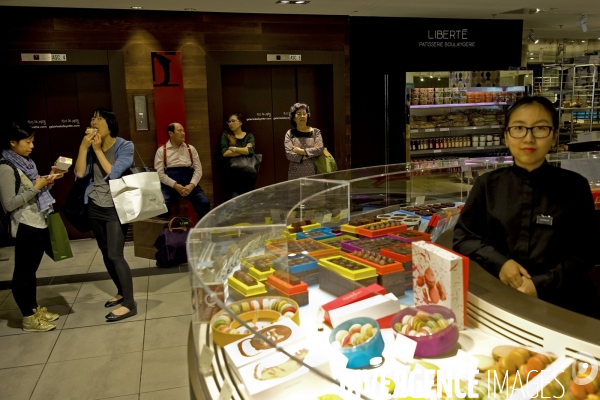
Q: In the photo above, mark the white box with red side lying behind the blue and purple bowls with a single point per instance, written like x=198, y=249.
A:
x=380, y=308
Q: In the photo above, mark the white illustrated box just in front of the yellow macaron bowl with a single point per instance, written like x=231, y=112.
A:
x=251, y=348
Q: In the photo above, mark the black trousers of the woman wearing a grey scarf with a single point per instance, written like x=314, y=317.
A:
x=30, y=245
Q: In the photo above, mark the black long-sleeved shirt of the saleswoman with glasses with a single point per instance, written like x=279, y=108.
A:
x=500, y=222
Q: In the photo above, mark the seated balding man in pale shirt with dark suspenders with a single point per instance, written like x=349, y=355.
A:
x=179, y=170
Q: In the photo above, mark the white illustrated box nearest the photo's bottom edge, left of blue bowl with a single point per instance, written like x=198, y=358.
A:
x=278, y=377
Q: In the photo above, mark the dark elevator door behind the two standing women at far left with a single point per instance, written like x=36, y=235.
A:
x=57, y=102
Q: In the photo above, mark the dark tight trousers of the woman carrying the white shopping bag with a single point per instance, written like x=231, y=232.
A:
x=110, y=236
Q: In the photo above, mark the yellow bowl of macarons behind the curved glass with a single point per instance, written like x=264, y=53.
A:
x=223, y=339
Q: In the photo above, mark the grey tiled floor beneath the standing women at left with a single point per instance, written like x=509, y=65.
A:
x=143, y=357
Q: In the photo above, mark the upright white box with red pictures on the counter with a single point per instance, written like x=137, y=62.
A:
x=440, y=277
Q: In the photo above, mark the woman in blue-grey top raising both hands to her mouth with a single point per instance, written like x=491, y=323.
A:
x=103, y=155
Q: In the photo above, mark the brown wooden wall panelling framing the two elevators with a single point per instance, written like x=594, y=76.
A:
x=138, y=33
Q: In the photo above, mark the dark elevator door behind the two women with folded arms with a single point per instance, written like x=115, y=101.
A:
x=264, y=96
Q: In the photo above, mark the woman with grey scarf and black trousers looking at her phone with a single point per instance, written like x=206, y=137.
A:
x=25, y=195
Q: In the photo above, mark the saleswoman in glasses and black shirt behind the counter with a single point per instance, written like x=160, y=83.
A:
x=534, y=225
